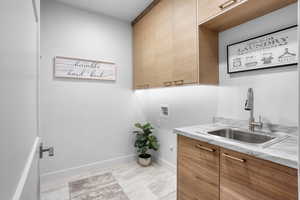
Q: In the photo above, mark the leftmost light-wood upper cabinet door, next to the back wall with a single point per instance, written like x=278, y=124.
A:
x=153, y=47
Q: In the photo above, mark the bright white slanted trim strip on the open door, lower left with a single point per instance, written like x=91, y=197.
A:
x=26, y=170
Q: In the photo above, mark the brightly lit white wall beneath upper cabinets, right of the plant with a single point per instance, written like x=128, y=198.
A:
x=188, y=105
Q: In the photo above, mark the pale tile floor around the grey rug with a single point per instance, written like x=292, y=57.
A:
x=156, y=182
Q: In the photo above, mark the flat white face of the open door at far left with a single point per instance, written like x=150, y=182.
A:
x=18, y=88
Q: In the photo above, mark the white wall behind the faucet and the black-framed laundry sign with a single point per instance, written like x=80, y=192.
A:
x=275, y=90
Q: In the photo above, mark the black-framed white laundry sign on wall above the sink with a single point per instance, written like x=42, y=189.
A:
x=276, y=49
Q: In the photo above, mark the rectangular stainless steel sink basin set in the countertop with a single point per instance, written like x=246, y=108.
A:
x=242, y=136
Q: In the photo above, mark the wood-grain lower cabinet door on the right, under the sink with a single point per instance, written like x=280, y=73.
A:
x=247, y=178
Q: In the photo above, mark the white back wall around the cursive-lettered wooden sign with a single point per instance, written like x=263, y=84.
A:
x=86, y=121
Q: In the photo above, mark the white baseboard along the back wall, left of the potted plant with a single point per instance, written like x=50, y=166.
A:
x=61, y=174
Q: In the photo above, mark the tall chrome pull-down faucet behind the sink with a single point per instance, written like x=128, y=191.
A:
x=249, y=106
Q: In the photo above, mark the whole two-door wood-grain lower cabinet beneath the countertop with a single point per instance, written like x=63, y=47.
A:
x=208, y=172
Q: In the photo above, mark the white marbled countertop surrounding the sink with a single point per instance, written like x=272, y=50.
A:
x=283, y=152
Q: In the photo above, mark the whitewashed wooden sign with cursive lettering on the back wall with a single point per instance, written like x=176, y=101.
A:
x=77, y=68
